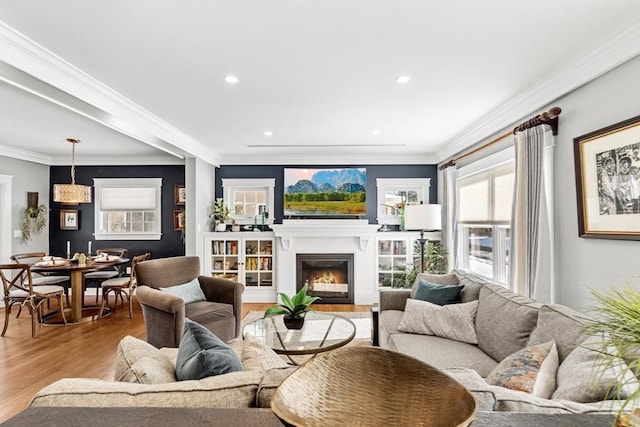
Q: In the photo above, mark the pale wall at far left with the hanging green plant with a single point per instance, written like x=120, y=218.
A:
x=27, y=177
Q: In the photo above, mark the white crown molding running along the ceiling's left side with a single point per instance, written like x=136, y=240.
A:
x=123, y=115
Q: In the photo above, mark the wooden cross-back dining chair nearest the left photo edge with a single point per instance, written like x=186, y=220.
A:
x=18, y=288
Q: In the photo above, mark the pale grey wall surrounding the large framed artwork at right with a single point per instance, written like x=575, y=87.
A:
x=591, y=263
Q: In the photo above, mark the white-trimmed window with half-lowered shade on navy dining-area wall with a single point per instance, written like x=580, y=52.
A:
x=128, y=208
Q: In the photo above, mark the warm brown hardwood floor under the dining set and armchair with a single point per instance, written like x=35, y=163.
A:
x=85, y=350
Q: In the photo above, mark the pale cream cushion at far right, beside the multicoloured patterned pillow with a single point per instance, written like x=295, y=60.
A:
x=583, y=377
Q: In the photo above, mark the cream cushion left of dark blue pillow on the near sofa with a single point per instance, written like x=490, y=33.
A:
x=140, y=362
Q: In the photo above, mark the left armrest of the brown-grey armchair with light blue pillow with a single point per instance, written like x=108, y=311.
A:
x=163, y=316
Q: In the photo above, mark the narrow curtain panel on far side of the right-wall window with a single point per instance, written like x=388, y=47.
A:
x=447, y=192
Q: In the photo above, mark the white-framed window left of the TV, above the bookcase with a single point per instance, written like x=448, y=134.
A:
x=249, y=198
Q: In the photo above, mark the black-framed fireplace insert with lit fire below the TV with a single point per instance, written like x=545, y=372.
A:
x=328, y=276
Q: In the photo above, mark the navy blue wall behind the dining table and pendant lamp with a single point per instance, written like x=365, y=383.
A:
x=169, y=245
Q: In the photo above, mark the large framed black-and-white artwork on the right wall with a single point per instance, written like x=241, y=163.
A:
x=607, y=163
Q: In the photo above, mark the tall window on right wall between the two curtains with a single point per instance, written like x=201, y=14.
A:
x=484, y=200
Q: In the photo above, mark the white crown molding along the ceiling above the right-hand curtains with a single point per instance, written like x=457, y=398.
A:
x=609, y=55
